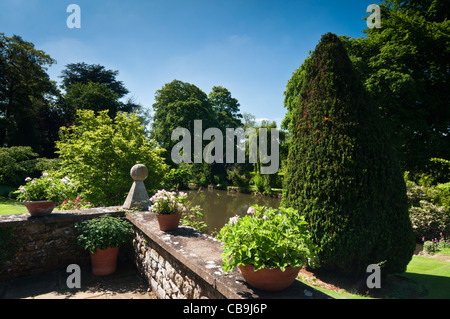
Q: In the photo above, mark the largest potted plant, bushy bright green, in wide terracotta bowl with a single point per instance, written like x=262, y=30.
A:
x=268, y=246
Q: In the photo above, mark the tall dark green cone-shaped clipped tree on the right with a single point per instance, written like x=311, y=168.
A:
x=342, y=172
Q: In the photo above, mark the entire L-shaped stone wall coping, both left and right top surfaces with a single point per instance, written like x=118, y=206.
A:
x=197, y=251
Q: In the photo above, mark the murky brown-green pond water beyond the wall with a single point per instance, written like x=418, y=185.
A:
x=219, y=206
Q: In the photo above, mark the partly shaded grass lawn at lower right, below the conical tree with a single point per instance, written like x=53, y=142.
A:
x=425, y=278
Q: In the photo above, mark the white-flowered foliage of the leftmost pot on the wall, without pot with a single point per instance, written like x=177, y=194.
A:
x=46, y=188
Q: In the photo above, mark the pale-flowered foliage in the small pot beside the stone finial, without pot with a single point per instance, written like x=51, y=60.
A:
x=169, y=203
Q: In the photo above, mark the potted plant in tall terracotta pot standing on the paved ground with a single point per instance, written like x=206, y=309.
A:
x=102, y=237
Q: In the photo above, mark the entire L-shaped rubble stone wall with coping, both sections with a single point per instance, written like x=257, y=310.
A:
x=181, y=264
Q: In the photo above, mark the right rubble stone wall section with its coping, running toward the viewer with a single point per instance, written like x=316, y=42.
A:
x=187, y=264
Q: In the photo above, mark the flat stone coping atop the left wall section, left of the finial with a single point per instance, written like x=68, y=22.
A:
x=58, y=216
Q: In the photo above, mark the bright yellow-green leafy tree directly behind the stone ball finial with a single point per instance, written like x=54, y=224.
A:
x=99, y=152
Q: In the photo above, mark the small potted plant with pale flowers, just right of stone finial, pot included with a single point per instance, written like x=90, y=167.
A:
x=168, y=206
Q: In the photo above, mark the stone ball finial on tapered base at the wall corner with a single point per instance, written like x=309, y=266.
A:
x=138, y=196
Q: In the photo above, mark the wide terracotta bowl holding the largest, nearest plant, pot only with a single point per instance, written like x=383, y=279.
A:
x=269, y=279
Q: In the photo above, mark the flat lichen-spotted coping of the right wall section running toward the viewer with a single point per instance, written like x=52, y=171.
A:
x=202, y=254
